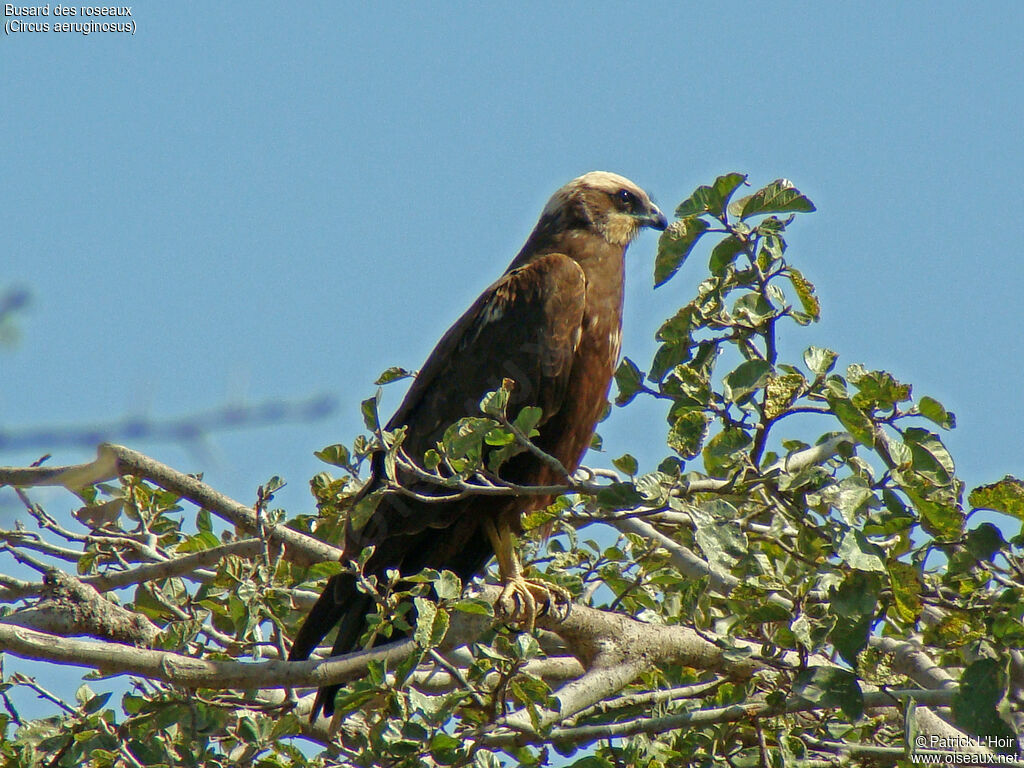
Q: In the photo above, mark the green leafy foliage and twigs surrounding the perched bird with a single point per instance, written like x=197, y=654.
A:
x=806, y=520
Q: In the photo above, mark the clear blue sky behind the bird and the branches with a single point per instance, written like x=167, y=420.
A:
x=251, y=201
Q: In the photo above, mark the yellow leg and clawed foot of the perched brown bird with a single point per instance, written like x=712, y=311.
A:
x=521, y=598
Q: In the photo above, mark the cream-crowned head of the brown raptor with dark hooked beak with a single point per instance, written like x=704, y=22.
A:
x=607, y=204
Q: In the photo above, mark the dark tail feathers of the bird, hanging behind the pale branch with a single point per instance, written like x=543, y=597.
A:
x=342, y=604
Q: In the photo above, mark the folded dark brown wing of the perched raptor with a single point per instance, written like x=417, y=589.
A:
x=526, y=327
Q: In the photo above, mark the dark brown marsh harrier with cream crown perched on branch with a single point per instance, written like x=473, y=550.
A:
x=552, y=324
